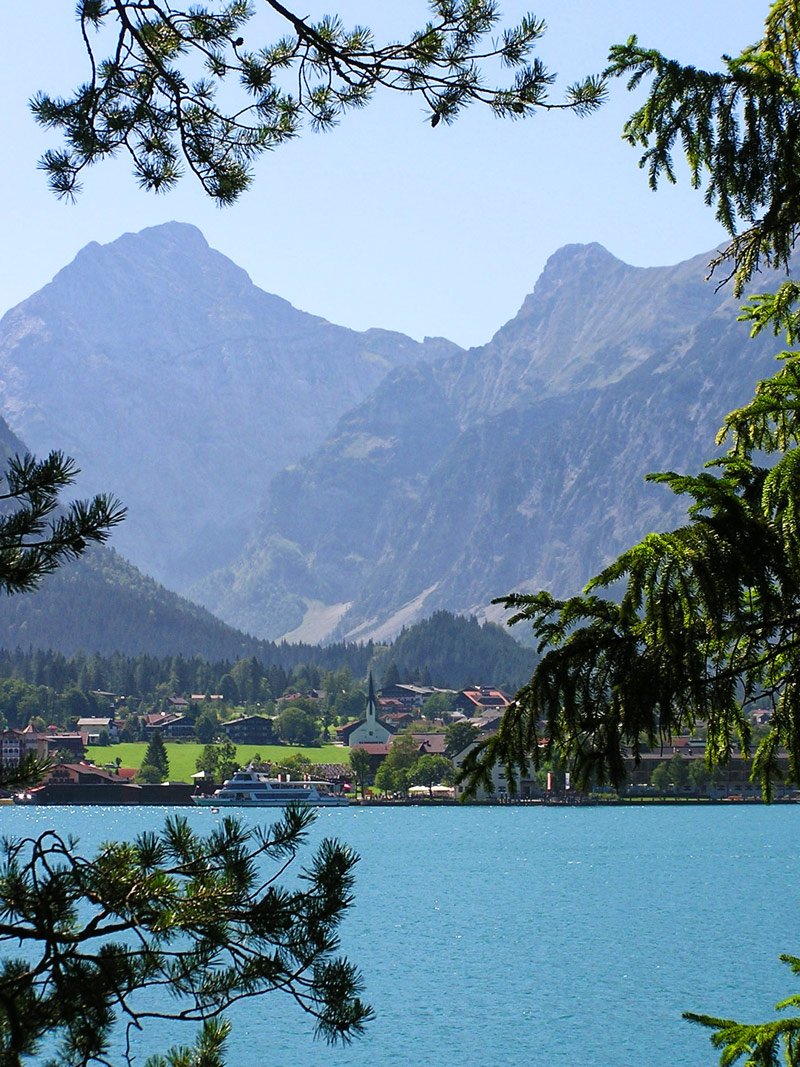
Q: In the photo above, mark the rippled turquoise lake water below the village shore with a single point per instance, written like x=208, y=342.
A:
x=532, y=936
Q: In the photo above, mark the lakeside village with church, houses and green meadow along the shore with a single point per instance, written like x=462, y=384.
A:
x=397, y=752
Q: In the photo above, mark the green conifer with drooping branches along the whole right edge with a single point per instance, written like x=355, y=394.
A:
x=706, y=619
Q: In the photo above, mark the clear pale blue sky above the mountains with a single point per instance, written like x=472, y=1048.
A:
x=385, y=221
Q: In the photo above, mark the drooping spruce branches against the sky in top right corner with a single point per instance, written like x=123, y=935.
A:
x=739, y=132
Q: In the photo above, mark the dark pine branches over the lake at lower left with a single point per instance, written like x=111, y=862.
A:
x=202, y=918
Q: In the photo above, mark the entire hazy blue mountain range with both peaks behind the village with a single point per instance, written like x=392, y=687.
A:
x=302, y=480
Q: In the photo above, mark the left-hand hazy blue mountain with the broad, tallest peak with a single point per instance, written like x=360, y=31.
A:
x=182, y=388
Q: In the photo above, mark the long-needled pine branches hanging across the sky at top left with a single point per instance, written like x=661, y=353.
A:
x=158, y=94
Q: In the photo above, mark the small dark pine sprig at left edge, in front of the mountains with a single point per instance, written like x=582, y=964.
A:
x=38, y=534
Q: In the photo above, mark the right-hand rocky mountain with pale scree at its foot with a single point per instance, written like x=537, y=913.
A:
x=516, y=466
